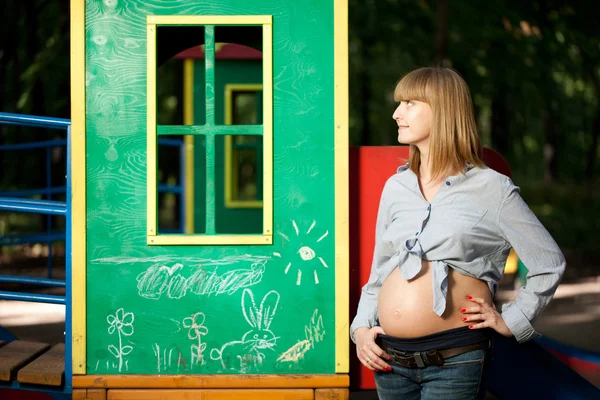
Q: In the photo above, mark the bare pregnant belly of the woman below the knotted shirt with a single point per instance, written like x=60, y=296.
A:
x=406, y=308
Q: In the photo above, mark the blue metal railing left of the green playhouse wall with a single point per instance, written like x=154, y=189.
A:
x=49, y=208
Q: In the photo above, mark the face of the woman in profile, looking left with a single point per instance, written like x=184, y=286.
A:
x=414, y=122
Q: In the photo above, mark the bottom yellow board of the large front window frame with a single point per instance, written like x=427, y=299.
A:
x=209, y=239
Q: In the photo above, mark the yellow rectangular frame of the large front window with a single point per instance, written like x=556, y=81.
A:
x=153, y=238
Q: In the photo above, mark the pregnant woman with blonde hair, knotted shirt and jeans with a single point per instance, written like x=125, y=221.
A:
x=445, y=226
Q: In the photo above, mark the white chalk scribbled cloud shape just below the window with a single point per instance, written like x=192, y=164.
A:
x=159, y=280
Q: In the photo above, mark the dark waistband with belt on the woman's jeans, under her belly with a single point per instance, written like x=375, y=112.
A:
x=456, y=337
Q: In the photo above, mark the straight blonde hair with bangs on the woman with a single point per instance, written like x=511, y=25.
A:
x=454, y=140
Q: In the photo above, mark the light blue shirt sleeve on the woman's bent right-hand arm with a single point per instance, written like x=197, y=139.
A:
x=540, y=254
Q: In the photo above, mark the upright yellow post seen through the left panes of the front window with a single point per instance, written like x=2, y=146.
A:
x=188, y=119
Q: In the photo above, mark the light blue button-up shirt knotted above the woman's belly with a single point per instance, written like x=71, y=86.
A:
x=470, y=226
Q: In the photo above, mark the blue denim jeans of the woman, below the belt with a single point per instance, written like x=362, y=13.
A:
x=461, y=377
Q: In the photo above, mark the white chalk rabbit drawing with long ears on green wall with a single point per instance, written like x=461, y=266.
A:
x=241, y=355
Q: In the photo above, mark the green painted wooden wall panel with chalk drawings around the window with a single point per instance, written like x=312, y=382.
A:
x=210, y=309
